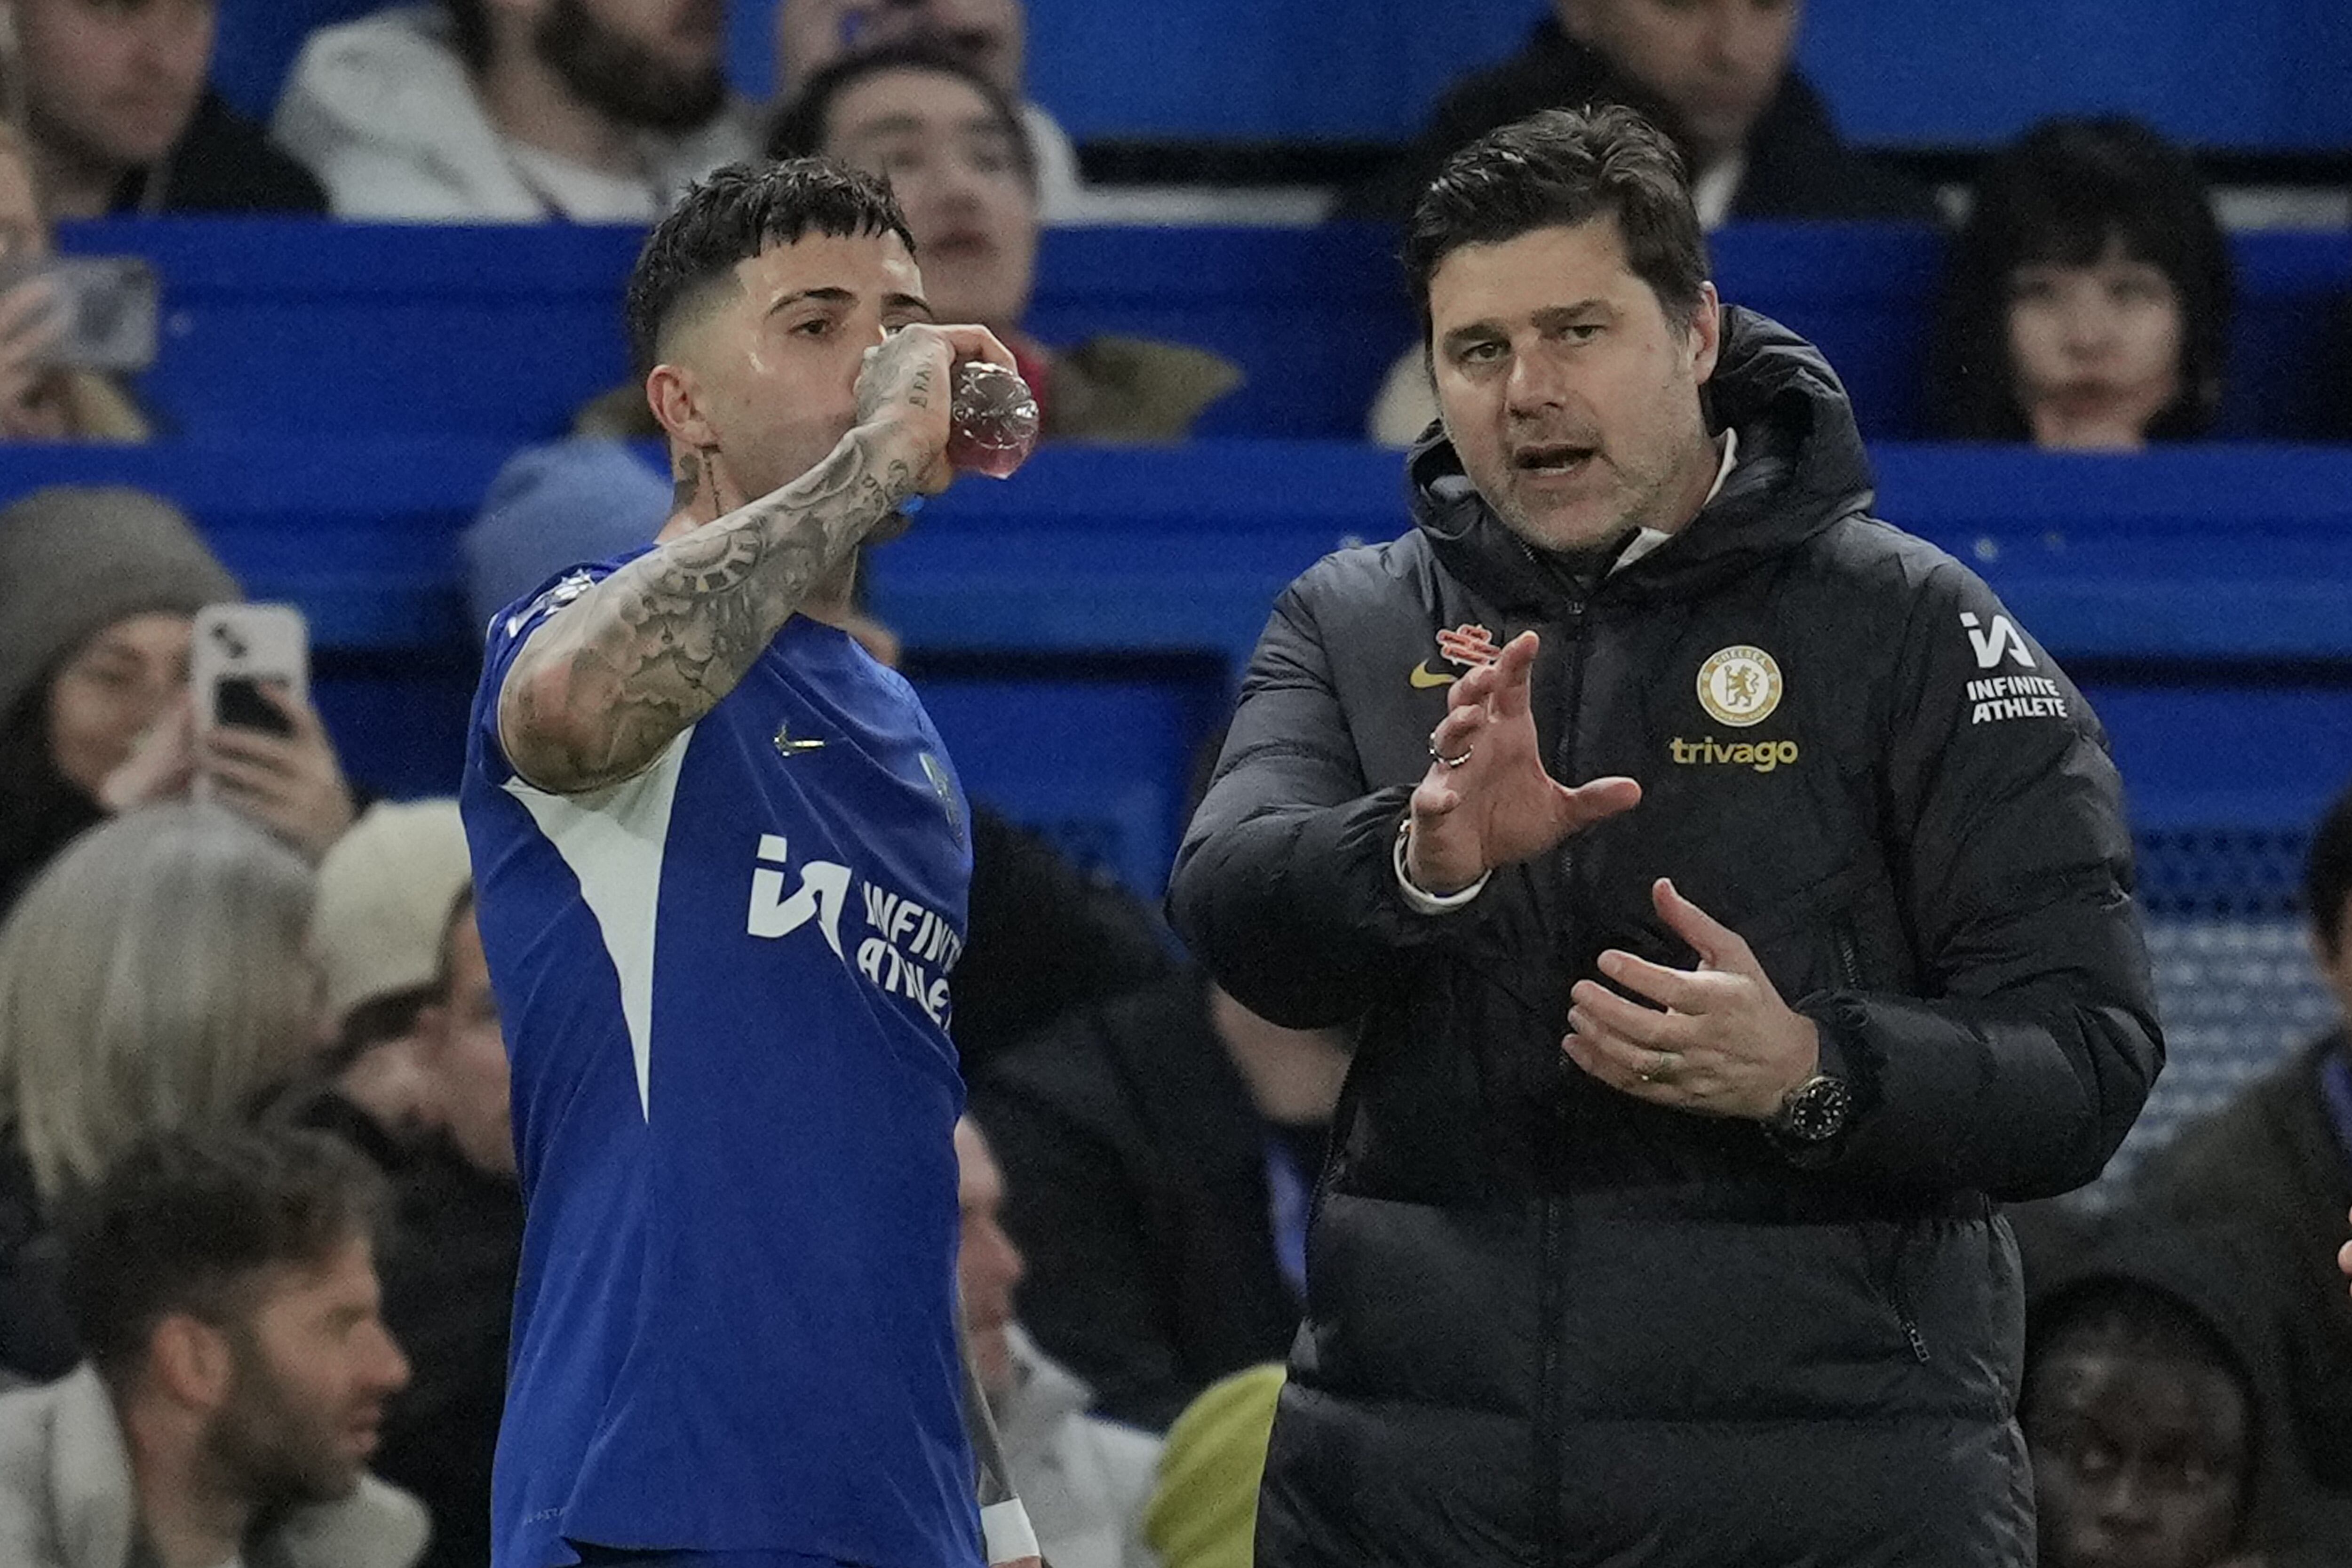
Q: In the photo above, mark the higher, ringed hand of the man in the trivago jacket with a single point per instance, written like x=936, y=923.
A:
x=1488, y=798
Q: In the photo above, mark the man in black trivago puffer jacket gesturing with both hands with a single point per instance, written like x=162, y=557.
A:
x=1737, y=911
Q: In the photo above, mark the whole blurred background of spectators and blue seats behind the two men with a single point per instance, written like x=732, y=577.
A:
x=319, y=304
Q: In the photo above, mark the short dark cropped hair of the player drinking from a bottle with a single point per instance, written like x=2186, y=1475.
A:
x=735, y=215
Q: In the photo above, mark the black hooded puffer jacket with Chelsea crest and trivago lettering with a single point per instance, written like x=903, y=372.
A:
x=1553, y=1325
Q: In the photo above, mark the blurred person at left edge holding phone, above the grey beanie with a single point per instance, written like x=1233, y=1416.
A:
x=41, y=401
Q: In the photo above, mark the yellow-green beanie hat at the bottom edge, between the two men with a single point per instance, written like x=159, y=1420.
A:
x=1205, y=1508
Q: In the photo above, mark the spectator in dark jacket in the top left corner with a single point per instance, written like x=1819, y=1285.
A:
x=121, y=116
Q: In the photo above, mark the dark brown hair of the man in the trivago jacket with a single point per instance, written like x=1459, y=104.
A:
x=1568, y=168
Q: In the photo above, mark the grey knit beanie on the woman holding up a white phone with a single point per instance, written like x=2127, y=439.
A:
x=76, y=558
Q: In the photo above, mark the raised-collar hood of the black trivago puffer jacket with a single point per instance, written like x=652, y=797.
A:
x=1800, y=469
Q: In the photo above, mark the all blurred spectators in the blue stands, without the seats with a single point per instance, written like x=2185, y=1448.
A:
x=260, y=1209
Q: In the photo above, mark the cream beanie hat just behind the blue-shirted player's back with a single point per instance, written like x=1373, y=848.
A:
x=385, y=899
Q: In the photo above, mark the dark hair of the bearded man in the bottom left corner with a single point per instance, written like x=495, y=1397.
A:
x=187, y=1224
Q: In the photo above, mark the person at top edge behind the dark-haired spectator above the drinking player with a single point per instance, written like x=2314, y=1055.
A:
x=987, y=36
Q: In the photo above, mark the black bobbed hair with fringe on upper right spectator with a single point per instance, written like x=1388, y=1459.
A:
x=2066, y=194
